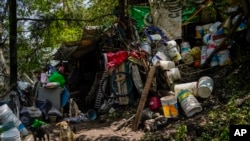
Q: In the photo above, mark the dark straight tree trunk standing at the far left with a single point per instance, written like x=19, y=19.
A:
x=13, y=41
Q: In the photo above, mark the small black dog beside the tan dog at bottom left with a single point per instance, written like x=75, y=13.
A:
x=40, y=132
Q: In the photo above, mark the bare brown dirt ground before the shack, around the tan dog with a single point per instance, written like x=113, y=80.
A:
x=96, y=131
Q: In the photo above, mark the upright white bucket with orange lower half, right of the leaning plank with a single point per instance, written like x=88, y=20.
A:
x=169, y=106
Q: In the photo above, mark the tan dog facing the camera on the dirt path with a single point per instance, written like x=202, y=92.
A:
x=66, y=133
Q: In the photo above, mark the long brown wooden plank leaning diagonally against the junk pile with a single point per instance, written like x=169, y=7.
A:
x=143, y=99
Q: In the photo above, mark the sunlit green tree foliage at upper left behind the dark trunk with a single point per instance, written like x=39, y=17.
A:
x=44, y=24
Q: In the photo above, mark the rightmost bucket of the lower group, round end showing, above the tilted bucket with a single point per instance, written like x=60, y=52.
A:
x=205, y=86
